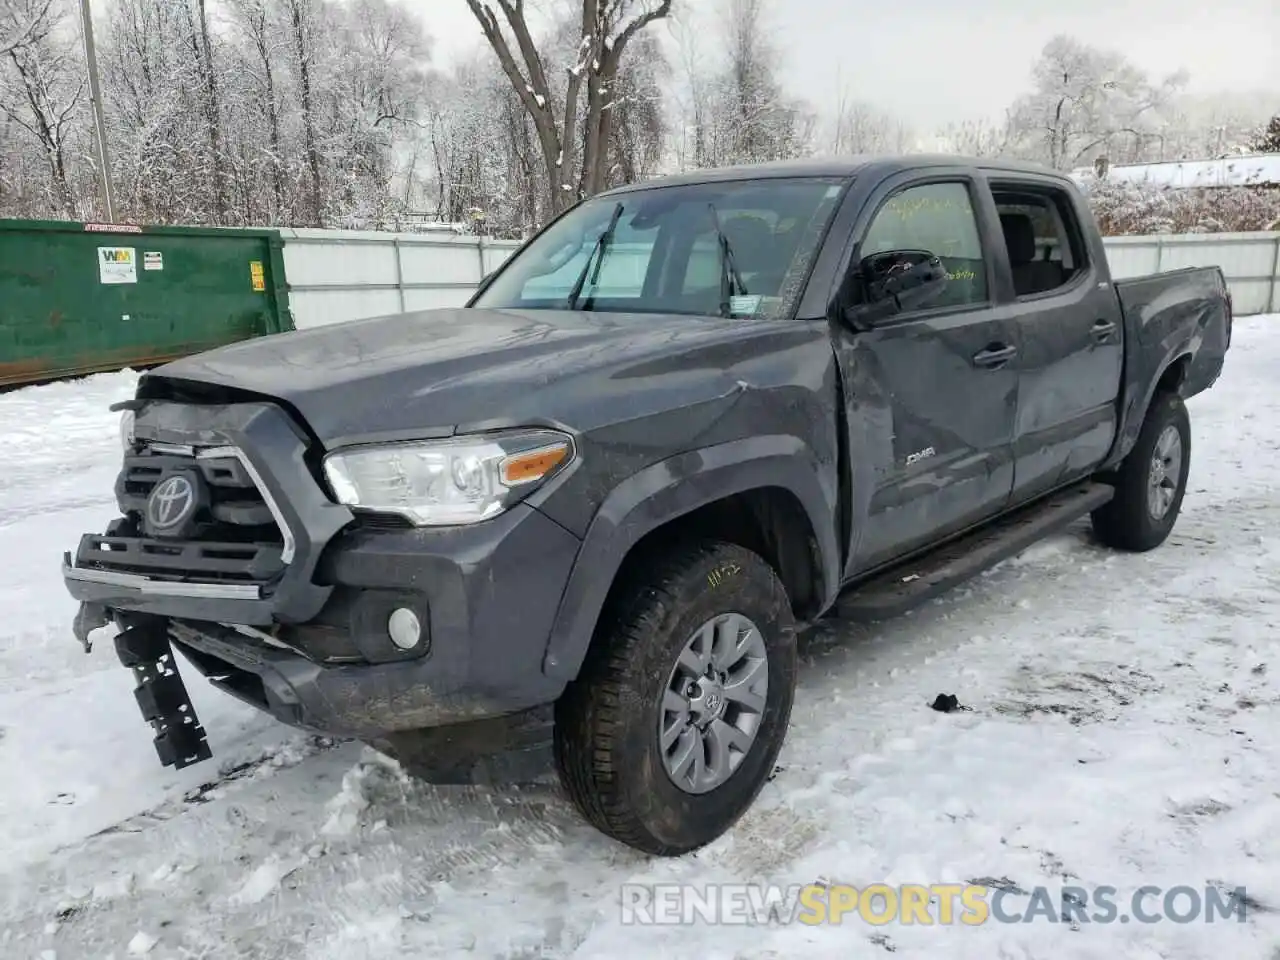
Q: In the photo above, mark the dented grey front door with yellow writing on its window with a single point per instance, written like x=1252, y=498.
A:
x=931, y=394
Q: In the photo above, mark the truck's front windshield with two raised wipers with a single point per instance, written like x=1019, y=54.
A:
x=738, y=249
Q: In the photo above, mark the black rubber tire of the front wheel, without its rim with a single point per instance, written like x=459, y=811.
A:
x=606, y=742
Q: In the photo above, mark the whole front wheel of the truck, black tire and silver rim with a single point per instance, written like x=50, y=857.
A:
x=674, y=725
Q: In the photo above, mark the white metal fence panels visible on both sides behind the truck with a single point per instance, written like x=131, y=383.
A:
x=339, y=276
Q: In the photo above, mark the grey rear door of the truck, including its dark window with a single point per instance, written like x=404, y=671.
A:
x=1071, y=331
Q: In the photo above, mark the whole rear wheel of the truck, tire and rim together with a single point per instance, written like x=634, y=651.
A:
x=1151, y=482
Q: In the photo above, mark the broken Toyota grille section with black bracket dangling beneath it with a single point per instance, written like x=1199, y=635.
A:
x=202, y=536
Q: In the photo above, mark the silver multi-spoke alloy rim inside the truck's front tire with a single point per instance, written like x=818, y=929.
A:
x=714, y=703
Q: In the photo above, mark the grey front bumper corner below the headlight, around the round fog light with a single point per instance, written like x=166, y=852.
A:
x=487, y=597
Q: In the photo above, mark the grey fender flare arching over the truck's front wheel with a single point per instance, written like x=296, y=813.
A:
x=670, y=490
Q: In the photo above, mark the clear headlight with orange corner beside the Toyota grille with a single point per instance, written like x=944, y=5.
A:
x=445, y=483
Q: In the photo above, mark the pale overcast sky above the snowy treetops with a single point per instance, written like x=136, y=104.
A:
x=938, y=61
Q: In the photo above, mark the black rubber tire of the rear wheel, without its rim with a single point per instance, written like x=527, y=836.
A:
x=1126, y=523
